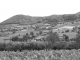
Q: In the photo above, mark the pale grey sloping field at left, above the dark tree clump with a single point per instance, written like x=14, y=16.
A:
x=7, y=36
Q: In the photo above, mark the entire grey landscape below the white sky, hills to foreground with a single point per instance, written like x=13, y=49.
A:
x=54, y=37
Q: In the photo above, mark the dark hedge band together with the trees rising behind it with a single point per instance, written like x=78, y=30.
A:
x=53, y=42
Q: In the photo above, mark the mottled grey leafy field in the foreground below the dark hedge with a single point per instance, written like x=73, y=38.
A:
x=41, y=55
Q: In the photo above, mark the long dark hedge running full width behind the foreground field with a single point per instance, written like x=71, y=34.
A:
x=14, y=46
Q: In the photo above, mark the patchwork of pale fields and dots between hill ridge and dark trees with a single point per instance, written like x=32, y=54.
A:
x=40, y=30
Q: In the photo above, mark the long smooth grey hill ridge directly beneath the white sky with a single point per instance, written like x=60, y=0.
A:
x=53, y=19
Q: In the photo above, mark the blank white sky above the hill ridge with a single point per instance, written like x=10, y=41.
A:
x=9, y=8
